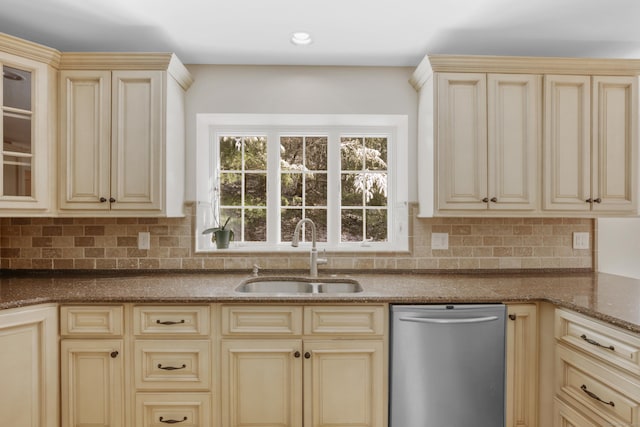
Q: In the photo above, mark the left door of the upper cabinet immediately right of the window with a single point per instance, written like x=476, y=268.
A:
x=461, y=141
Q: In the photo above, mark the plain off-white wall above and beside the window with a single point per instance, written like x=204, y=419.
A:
x=297, y=89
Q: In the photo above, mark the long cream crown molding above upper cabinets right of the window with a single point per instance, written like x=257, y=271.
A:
x=522, y=64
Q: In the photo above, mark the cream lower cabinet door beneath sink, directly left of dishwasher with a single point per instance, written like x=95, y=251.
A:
x=344, y=384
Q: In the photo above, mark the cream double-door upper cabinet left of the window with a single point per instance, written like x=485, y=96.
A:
x=121, y=136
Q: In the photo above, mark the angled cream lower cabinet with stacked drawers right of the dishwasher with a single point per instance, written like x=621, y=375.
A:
x=597, y=373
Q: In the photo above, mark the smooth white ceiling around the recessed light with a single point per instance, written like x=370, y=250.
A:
x=345, y=32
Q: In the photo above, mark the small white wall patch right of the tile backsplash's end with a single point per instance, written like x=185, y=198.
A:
x=619, y=246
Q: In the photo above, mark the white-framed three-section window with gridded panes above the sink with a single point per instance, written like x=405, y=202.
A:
x=347, y=173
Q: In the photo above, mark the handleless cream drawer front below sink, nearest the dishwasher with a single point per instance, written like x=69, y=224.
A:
x=344, y=320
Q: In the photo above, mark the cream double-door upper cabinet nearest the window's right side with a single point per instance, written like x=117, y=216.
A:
x=487, y=141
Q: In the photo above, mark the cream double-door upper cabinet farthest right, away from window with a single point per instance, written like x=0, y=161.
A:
x=590, y=144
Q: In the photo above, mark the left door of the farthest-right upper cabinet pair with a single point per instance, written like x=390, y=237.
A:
x=567, y=143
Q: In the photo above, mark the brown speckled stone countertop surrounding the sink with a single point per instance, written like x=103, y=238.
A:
x=614, y=299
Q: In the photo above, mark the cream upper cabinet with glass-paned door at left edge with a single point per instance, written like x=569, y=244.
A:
x=27, y=103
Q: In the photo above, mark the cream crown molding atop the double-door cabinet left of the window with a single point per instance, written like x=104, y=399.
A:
x=128, y=61
